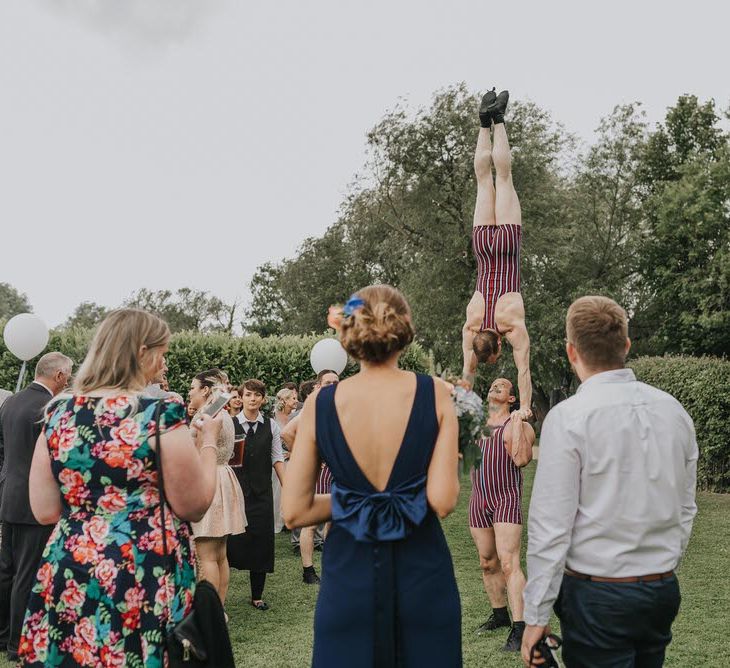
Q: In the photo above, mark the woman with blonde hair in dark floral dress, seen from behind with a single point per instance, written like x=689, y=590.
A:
x=105, y=595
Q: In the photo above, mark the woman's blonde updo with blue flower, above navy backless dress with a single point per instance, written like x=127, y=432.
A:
x=378, y=328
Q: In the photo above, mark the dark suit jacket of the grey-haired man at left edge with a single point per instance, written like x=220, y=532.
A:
x=21, y=420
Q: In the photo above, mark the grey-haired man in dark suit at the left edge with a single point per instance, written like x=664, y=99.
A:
x=23, y=539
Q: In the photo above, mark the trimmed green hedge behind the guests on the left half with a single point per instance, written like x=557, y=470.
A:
x=274, y=360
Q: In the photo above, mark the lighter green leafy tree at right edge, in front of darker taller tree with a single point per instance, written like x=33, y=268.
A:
x=686, y=260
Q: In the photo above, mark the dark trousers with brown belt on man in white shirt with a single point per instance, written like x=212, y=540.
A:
x=616, y=625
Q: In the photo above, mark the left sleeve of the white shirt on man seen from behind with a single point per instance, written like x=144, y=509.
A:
x=553, y=508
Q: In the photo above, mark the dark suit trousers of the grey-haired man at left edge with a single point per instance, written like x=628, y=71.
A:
x=20, y=553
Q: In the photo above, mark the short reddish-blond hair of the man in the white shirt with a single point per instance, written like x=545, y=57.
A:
x=598, y=328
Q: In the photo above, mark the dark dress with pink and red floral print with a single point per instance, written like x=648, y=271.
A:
x=104, y=590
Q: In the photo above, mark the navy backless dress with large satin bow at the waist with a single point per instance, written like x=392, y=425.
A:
x=388, y=596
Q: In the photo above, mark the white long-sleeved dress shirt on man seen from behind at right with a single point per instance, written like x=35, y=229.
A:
x=614, y=492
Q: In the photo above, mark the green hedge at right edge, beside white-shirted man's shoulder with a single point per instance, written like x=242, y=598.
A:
x=702, y=386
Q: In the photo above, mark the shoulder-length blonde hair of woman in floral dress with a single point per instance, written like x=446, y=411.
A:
x=113, y=358
